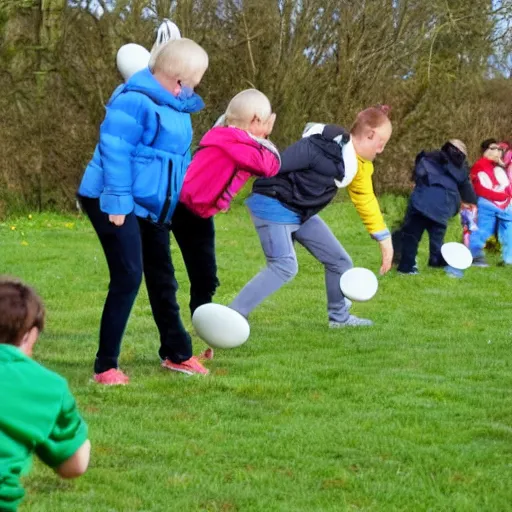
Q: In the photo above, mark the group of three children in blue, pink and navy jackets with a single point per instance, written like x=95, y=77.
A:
x=143, y=184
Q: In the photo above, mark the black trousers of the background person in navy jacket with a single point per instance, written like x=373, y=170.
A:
x=409, y=237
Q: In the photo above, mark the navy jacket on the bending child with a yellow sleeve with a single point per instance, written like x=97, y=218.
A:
x=305, y=182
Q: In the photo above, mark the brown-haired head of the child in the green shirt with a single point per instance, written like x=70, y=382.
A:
x=21, y=309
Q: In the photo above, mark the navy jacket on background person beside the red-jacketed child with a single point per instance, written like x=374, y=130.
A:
x=440, y=186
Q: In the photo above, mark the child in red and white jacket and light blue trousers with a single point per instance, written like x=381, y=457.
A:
x=494, y=191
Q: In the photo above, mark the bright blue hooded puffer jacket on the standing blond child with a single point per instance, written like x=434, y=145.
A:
x=144, y=150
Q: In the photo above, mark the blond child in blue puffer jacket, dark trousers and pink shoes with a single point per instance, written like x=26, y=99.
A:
x=130, y=190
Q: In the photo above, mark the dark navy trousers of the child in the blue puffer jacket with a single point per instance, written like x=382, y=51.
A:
x=135, y=247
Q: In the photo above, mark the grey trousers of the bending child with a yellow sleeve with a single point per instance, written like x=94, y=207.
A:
x=277, y=241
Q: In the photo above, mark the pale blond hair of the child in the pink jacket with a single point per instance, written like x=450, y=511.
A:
x=246, y=106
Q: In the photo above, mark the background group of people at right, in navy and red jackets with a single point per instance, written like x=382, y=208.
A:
x=444, y=184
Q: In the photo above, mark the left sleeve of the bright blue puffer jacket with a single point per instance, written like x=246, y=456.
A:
x=120, y=133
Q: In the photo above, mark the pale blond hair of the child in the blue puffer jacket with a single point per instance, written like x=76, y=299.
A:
x=180, y=58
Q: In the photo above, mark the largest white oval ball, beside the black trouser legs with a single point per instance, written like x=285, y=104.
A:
x=220, y=326
